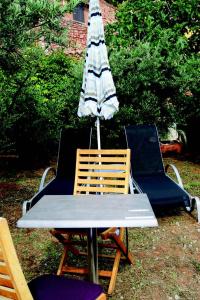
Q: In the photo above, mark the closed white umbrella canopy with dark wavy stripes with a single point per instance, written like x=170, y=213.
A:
x=98, y=93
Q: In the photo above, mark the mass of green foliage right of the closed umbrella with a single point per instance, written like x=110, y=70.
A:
x=156, y=43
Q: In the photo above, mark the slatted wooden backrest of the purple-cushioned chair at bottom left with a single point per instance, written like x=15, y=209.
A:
x=12, y=281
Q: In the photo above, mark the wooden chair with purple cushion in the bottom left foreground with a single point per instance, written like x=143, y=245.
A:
x=47, y=287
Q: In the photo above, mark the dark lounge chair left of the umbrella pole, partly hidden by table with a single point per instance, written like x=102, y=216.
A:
x=63, y=181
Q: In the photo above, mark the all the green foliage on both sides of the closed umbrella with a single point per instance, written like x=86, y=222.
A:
x=154, y=57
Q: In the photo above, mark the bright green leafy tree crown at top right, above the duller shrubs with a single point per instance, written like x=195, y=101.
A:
x=148, y=20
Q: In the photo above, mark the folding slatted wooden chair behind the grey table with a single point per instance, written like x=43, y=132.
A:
x=99, y=171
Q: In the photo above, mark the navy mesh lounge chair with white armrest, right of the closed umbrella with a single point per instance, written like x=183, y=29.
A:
x=148, y=172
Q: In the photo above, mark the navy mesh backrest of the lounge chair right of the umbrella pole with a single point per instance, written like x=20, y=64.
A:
x=146, y=158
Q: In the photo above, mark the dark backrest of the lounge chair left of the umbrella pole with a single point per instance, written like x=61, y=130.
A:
x=70, y=140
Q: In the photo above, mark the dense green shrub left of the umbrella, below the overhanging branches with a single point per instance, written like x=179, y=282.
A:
x=37, y=101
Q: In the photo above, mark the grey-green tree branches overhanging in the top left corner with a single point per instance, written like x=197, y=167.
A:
x=25, y=22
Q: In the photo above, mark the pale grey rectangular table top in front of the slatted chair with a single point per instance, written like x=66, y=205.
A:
x=90, y=211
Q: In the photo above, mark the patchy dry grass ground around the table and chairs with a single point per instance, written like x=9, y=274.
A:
x=167, y=259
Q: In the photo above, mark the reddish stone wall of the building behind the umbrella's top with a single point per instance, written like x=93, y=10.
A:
x=78, y=31
